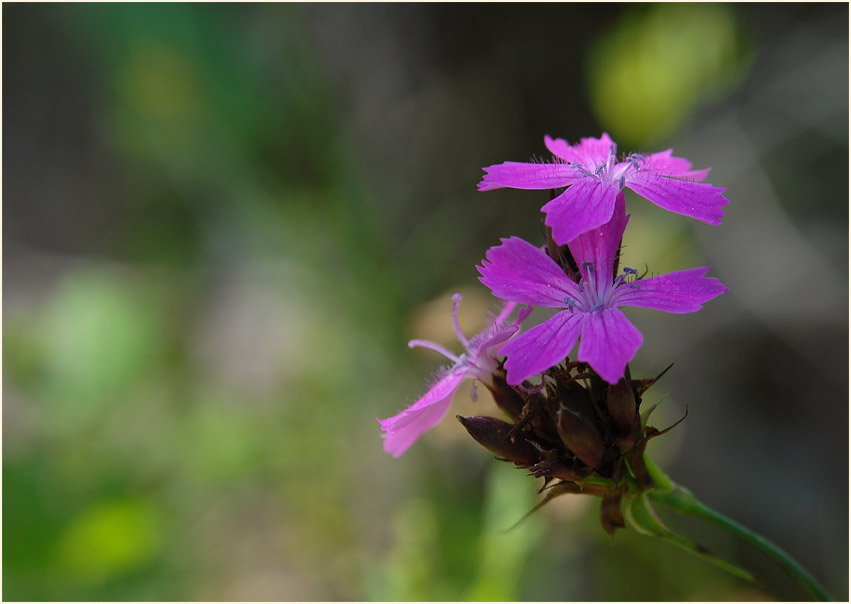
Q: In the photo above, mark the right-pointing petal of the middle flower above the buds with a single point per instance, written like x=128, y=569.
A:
x=678, y=292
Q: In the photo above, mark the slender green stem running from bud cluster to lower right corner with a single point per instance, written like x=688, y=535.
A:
x=683, y=502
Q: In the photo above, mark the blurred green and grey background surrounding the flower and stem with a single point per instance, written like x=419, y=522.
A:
x=222, y=223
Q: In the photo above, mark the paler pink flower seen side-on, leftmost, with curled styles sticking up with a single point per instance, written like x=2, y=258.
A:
x=477, y=362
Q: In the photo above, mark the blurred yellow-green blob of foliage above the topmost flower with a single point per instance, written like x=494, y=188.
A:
x=646, y=75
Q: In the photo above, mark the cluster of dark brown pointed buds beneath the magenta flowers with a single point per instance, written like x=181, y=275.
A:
x=575, y=430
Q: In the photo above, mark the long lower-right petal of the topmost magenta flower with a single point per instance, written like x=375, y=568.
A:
x=702, y=201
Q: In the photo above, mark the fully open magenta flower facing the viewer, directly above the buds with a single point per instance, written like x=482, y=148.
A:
x=520, y=272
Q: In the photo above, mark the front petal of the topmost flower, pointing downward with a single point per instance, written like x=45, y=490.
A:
x=582, y=207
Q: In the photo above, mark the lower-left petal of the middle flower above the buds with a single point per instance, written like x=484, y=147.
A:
x=541, y=347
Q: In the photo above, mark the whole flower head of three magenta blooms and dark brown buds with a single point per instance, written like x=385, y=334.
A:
x=582, y=420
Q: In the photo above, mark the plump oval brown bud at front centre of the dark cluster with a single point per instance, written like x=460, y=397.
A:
x=577, y=428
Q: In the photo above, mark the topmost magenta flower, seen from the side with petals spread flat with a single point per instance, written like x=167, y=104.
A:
x=594, y=178
